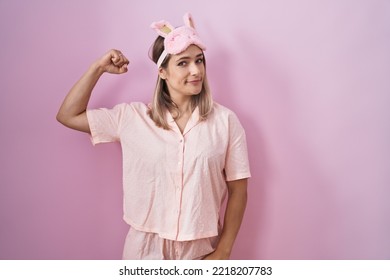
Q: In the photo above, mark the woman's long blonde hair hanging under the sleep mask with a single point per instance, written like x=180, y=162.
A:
x=162, y=102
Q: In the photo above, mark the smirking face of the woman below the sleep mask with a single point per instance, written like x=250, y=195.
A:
x=185, y=72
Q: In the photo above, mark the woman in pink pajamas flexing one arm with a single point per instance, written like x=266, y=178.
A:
x=181, y=154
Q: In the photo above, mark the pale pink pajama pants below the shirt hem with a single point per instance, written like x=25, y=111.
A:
x=141, y=245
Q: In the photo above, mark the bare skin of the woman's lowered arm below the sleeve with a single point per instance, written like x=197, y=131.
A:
x=235, y=209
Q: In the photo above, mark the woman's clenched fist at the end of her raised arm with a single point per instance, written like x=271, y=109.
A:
x=113, y=62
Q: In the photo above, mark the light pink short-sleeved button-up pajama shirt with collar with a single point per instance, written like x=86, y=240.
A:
x=174, y=183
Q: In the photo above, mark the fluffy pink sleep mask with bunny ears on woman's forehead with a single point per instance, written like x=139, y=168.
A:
x=177, y=39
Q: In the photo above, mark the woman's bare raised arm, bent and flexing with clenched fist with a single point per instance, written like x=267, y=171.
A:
x=72, y=112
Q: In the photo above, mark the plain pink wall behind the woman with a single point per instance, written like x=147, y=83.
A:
x=308, y=79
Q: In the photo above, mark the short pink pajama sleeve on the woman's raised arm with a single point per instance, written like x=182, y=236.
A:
x=105, y=123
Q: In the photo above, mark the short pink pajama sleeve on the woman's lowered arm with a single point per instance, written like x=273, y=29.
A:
x=237, y=162
